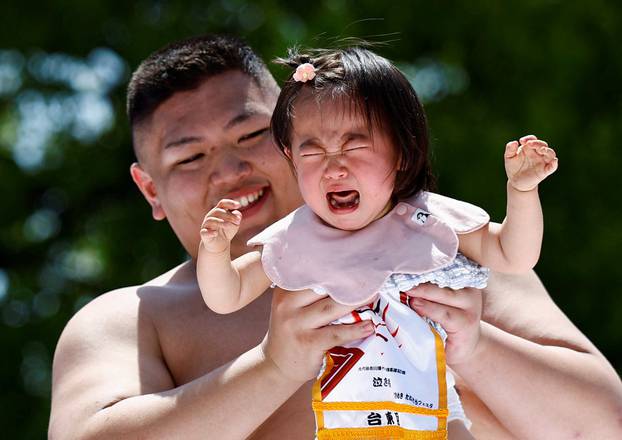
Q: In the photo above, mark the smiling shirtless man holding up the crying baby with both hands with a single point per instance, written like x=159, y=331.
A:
x=153, y=362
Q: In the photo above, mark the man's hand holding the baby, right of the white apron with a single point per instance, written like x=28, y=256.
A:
x=458, y=311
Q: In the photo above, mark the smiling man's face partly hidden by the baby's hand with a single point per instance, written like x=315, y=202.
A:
x=211, y=143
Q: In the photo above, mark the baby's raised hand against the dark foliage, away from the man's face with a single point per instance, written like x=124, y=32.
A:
x=528, y=162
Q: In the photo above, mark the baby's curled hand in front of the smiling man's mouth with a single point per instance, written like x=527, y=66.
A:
x=220, y=226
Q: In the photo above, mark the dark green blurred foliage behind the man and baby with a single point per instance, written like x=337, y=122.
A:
x=72, y=225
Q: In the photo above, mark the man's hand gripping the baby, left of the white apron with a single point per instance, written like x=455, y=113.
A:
x=300, y=332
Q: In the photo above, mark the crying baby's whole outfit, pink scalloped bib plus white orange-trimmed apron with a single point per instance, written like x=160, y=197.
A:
x=392, y=384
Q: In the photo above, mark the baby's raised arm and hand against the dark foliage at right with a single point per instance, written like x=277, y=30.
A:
x=514, y=246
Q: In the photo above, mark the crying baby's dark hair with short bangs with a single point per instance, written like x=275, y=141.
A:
x=379, y=91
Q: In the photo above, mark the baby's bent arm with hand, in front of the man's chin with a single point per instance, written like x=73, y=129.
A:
x=227, y=286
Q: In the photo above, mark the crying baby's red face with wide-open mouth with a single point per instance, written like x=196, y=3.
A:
x=345, y=172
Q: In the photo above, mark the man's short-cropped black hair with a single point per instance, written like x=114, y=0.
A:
x=185, y=65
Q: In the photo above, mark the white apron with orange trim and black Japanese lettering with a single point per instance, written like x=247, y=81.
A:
x=390, y=385
